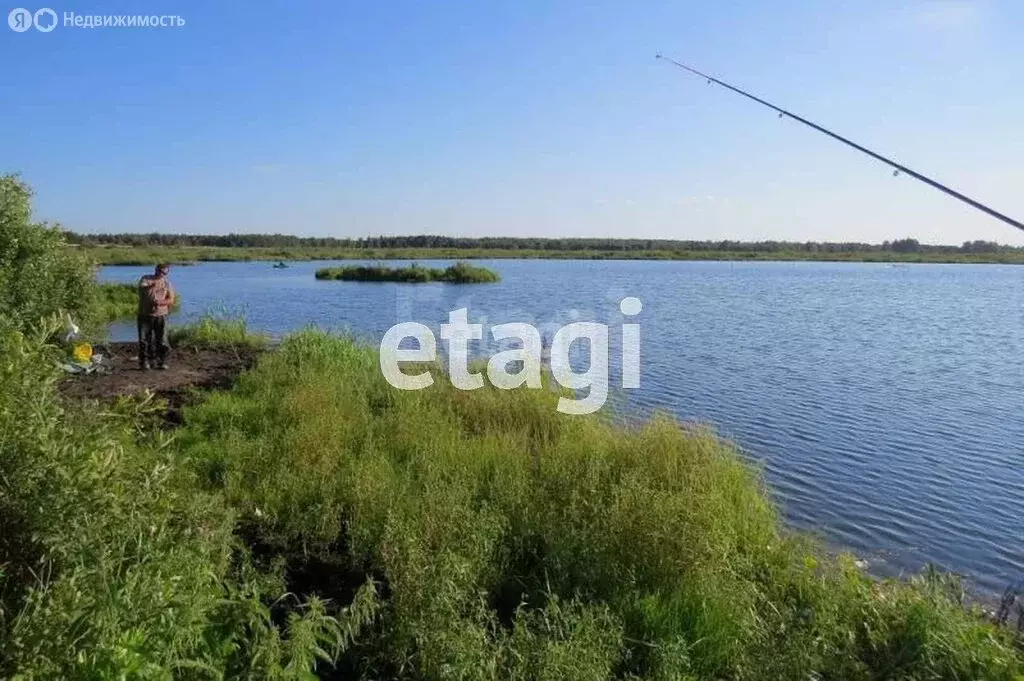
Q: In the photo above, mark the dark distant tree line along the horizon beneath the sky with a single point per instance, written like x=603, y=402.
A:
x=527, y=244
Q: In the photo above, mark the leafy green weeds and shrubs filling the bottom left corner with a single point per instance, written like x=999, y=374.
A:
x=116, y=566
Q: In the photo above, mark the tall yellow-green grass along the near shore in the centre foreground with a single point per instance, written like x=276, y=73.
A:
x=514, y=542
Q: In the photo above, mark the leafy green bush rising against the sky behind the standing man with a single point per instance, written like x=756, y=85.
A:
x=40, y=276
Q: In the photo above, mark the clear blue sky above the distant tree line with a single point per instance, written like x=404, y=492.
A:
x=522, y=118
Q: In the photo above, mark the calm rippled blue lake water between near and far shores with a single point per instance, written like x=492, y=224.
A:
x=885, y=403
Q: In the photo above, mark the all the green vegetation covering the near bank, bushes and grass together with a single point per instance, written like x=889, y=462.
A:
x=312, y=522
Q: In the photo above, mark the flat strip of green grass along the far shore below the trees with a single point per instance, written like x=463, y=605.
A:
x=149, y=256
